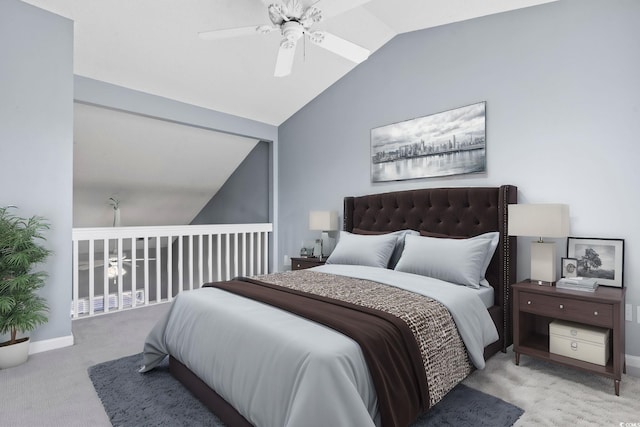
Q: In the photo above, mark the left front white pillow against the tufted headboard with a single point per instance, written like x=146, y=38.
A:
x=358, y=249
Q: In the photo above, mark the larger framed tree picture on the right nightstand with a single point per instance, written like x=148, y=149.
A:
x=601, y=259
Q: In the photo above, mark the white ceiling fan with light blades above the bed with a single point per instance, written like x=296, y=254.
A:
x=294, y=21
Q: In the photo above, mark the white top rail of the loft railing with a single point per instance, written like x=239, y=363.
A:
x=166, y=230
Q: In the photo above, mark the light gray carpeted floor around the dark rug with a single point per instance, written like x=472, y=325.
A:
x=53, y=388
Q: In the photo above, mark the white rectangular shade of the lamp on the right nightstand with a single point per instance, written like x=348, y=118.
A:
x=539, y=220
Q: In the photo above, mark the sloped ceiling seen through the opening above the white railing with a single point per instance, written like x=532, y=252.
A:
x=162, y=173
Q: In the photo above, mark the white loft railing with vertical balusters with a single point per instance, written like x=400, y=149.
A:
x=116, y=268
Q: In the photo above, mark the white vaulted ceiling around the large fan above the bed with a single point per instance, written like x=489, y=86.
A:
x=153, y=46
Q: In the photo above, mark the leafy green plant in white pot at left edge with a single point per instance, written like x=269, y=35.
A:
x=21, y=308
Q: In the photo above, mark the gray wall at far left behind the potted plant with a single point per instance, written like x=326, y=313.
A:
x=36, y=139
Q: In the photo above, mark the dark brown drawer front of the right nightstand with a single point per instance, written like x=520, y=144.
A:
x=592, y=313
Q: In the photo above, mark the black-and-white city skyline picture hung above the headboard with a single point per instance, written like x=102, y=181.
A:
x=441, y=144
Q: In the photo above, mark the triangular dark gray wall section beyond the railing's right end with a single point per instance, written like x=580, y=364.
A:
x=244, y=197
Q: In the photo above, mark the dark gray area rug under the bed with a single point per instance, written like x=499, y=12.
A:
x=157, y=399
